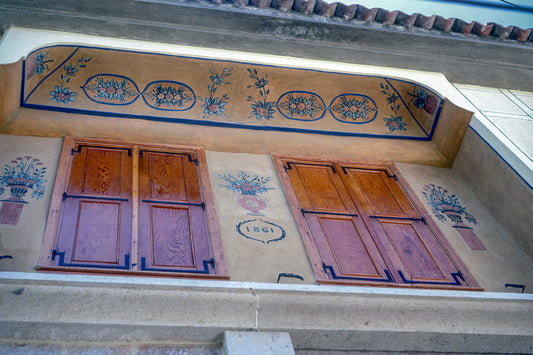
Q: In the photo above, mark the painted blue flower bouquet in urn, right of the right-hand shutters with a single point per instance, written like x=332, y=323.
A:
x=445, y=205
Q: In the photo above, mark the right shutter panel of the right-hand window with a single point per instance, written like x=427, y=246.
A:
x=418, y=256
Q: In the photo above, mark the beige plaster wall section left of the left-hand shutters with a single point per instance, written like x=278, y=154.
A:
x=23, y=241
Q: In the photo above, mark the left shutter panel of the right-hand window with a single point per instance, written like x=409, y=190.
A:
x=347, y=250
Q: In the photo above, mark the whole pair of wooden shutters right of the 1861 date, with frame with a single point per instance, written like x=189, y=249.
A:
x=359, y=226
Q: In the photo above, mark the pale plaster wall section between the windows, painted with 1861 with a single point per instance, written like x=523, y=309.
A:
x=251, y=253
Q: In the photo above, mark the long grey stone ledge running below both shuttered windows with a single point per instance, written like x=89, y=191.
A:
x=129, y=309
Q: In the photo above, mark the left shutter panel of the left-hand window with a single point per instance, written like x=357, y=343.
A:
x=95, y=227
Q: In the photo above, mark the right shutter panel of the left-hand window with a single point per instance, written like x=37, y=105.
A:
x=172, y=228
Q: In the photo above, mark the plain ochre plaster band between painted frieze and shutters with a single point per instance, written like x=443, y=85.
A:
x=57, y=124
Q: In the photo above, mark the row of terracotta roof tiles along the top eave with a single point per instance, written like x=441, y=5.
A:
x=385, y=17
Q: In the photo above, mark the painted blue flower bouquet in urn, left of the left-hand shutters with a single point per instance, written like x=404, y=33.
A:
x=26, y=173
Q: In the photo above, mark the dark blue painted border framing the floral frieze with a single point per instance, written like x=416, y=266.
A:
x=221, y=124
